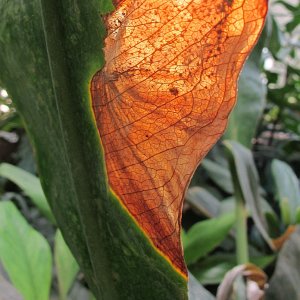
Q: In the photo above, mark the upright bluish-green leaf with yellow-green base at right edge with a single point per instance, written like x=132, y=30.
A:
x=287, y=190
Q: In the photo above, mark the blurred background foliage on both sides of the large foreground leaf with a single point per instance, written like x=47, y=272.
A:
x=242, y=206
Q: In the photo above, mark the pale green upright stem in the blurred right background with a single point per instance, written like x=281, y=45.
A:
x=241, y=232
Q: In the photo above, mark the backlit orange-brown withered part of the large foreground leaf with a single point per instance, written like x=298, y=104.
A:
x=163, y=98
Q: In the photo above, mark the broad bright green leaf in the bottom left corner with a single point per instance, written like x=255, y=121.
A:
x=25, y=254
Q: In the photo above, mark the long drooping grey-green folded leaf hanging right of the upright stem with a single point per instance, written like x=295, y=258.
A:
x=246, y=179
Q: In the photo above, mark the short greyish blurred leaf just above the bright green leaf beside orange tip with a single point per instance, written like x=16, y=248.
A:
x=203, y=201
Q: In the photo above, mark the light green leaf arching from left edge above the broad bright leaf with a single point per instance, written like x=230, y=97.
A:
x=31, y=186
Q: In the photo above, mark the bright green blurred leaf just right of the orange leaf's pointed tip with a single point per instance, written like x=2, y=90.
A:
x=204, y=236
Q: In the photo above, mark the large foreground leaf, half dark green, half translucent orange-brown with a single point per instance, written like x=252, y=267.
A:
x=124, y=228
